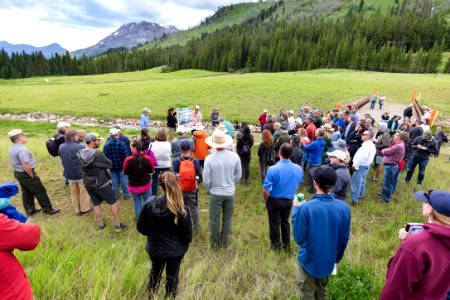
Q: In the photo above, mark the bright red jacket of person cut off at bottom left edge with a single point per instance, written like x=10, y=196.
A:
x=14, y=283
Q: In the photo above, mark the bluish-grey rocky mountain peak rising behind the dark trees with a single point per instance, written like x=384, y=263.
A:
x=128, y=36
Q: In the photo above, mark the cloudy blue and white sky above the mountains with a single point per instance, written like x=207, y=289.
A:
x=77, y=24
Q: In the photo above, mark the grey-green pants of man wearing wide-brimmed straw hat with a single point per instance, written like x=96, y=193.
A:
x=217, y=204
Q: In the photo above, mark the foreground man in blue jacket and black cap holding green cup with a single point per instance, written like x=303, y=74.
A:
x=321, y=227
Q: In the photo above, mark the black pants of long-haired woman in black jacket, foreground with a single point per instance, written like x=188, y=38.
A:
x=172, y=265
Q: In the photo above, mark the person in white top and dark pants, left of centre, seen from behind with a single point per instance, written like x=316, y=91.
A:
x=162, y=149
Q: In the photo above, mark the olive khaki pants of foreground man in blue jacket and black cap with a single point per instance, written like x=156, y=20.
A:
x=310, y=287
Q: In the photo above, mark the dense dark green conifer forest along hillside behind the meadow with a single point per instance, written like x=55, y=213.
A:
x=394, y=43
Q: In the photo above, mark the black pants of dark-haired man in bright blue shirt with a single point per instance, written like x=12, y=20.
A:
x=279, y=211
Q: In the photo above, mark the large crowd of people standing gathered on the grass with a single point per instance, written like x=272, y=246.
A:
x=332, y=151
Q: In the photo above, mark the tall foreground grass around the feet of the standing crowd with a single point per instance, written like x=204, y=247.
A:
x=75, y=261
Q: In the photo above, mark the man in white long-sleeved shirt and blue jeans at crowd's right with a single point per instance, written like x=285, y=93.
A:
x=361, y=165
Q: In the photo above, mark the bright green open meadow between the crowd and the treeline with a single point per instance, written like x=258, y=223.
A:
x=238, y=96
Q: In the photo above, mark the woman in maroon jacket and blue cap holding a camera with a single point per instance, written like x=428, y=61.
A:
x=419, y=269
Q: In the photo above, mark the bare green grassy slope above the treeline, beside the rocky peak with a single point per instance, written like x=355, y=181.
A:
x=227, y=16
